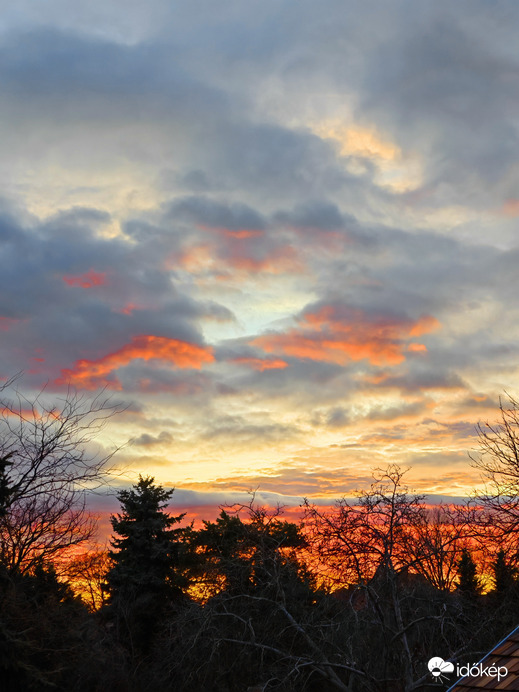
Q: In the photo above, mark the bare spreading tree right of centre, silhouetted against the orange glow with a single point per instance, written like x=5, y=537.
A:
x=390, y=553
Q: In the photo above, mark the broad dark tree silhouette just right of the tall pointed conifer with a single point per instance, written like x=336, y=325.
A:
x=260, y=619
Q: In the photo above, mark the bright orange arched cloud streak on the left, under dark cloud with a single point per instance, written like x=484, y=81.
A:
x=90, y=374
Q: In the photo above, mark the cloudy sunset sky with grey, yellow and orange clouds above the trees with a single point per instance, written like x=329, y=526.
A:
x=284, y=236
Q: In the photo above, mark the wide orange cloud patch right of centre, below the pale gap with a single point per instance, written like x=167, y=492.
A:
x=337, y=336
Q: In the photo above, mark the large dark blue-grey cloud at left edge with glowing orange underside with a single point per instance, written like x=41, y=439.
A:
x=96, y=293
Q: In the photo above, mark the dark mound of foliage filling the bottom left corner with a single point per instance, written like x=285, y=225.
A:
x=49, y=641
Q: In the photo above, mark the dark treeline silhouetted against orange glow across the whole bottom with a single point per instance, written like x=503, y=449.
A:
x=357, y=597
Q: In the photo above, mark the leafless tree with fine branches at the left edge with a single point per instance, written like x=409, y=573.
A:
x=46, y=473
